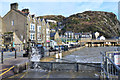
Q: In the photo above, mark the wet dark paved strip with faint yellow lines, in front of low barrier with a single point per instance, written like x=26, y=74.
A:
x=41, y=74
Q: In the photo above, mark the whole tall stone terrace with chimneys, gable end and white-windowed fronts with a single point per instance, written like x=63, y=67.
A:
x=26, y=27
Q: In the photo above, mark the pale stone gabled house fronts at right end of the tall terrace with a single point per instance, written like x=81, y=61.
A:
x=43, y=32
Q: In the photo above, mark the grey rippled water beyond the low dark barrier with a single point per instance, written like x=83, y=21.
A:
x=88, y=54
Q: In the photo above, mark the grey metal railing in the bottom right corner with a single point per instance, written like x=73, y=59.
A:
x=109, y=71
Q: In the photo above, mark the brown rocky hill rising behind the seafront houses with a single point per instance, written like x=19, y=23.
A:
x=104, y=22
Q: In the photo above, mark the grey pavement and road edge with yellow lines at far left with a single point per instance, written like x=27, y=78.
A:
x=9, y=63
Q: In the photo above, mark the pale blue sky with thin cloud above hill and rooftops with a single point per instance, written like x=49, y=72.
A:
x=61, y=7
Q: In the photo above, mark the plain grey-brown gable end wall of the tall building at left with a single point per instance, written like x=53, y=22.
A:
x=20, y=24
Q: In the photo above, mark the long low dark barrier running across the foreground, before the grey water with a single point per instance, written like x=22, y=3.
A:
x=66, y=66
